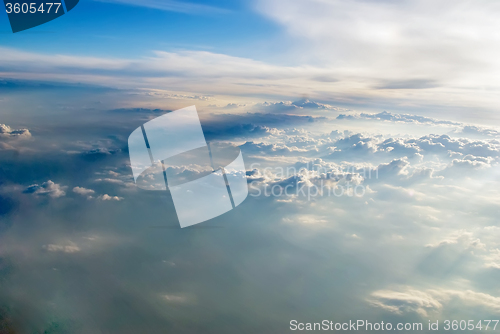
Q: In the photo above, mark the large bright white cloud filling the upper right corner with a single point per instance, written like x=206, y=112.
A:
x=430, y=49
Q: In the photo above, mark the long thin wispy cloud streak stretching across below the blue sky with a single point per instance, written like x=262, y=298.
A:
x=208, y=73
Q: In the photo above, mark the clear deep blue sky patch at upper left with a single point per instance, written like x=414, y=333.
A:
x=122, y=30
